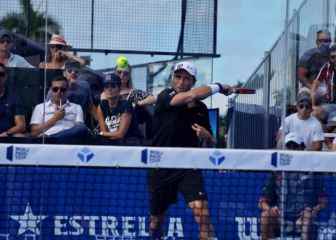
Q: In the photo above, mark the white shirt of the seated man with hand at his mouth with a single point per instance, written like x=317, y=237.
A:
x=73, y=115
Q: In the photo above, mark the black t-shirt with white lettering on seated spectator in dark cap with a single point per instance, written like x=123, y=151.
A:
x=112, y=116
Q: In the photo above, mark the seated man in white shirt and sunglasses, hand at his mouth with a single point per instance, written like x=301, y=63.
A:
x=58, y=118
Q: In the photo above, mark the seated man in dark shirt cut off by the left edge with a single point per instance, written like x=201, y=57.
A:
x=12, y=120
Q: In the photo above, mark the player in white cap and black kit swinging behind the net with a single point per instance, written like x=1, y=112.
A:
x=181, y=120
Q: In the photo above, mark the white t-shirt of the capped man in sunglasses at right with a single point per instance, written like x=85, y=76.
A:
x=310, y=130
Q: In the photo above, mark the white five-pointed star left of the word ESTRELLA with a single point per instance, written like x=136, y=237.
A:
x=28, y=221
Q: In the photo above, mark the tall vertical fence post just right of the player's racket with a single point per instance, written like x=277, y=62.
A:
x=266, y=97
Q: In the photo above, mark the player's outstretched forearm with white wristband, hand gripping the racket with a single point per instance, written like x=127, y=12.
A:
x=200, y=93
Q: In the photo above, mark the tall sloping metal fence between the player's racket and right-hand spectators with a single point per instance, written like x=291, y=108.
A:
x=256, y=118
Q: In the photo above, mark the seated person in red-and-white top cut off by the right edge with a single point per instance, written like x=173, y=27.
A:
x=323, y=88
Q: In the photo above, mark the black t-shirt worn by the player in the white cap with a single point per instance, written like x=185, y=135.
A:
x=172, y=124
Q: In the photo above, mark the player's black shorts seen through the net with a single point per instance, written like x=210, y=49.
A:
x=165, y=184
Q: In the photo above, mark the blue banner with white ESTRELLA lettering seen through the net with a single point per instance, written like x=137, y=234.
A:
x=111, y=203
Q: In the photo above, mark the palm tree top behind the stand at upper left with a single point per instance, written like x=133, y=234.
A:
x=29, y=22
